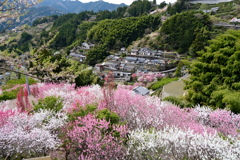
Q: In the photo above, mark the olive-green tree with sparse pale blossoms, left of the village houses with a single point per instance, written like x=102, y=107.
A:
x=54, y=68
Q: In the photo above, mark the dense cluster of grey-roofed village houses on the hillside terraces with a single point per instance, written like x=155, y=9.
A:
x=143, y=62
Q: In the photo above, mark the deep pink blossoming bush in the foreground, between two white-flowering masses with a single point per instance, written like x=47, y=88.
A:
x=94, y=139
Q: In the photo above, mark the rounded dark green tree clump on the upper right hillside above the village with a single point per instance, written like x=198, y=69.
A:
x=182, y=30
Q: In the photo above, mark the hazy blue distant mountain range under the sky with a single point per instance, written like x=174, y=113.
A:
x=58, y=7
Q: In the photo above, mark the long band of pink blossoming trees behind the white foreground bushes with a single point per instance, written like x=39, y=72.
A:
x=145, y=111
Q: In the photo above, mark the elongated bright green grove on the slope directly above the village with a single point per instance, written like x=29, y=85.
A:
x=121, y=32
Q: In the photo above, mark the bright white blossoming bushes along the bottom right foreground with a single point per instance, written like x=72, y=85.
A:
x=174, y=143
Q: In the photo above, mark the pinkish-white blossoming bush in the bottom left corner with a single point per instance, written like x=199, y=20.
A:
x=30, y=134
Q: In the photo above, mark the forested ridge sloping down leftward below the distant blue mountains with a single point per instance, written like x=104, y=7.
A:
x=72, y=29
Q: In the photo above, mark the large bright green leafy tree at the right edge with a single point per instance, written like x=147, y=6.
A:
x=215, y=76
